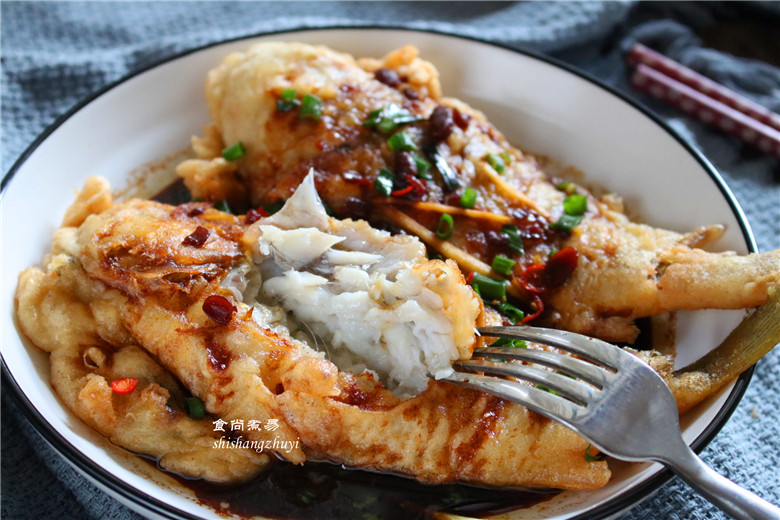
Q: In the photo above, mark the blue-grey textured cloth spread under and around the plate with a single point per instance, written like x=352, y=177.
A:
x=54, y=54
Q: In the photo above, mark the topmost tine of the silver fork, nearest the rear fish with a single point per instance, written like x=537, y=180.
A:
x=590, y=348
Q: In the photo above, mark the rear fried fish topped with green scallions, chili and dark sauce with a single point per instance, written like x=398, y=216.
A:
x=381, y=120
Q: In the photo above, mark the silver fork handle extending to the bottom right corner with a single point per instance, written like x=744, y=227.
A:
x=720, y=491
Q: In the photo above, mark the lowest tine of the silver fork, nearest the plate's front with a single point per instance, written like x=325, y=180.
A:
x=555, y=407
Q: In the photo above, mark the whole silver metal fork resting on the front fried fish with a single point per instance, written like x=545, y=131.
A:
x=616, y=401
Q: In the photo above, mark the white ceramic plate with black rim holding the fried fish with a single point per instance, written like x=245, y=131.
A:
x=539, y=105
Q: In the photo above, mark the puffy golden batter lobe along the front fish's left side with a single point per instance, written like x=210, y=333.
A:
x=78, y=320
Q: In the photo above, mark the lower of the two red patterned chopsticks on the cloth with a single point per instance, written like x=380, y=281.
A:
x=707, y=109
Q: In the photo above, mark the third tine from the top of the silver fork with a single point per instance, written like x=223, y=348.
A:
x=568, y=387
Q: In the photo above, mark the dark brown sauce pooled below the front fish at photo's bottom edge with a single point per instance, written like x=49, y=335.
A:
x=329, y=491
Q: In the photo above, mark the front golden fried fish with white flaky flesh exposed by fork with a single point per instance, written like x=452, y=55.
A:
x=140, y=259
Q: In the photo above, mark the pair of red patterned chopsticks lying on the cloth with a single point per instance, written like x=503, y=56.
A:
x=711, y=102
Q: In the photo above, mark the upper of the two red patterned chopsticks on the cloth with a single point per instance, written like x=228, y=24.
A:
x=641, y=54
